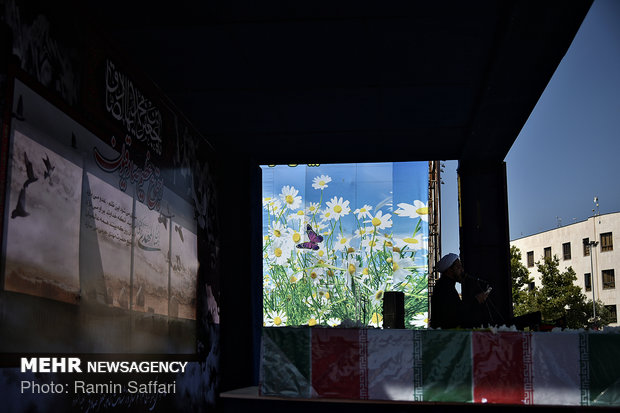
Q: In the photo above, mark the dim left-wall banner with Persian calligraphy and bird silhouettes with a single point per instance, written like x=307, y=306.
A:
x=94, y=225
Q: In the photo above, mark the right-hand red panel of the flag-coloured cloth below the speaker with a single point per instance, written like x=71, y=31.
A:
x=498, y=367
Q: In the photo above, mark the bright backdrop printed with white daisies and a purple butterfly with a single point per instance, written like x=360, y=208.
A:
x=337, y=237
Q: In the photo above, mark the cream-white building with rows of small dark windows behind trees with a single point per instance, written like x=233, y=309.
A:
x=589, y=247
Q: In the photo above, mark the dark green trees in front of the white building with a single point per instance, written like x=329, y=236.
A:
x=558, y=298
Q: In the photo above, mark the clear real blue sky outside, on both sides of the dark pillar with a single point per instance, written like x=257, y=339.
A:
x=568, y=151
